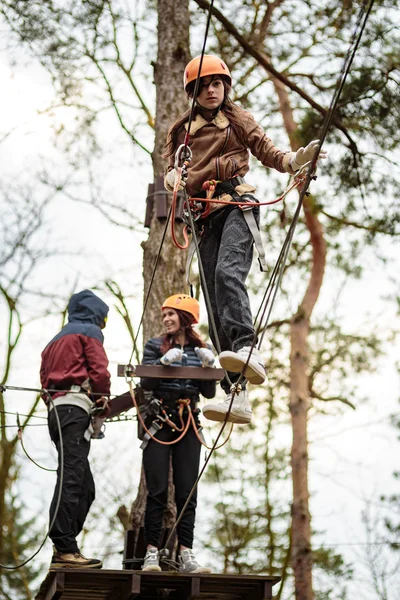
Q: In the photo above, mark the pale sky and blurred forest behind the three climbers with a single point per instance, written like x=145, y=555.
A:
x=77, y=128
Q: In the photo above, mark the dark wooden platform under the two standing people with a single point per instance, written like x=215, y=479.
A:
x=91, y=584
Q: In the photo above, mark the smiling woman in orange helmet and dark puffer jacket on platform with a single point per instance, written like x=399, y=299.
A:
x=180, y=345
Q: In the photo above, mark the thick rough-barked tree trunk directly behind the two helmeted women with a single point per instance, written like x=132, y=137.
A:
x=173, y=55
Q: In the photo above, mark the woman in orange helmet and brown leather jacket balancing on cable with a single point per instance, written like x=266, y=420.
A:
x=220, y=138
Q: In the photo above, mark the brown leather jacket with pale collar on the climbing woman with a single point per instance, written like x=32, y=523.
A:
x=218, y=153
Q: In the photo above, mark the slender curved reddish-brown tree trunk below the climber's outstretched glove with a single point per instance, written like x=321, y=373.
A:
x=299, y=405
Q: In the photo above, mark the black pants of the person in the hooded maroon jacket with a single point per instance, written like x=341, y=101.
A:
x=78, y=491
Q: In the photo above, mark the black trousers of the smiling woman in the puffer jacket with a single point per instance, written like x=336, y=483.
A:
x=185, y=465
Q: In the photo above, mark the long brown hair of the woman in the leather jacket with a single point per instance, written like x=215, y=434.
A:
x=231, y=110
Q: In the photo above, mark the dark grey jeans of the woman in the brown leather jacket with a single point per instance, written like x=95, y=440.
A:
x=226, y=251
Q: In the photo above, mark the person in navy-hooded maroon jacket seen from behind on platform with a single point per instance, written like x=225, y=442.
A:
x=74, y=378
